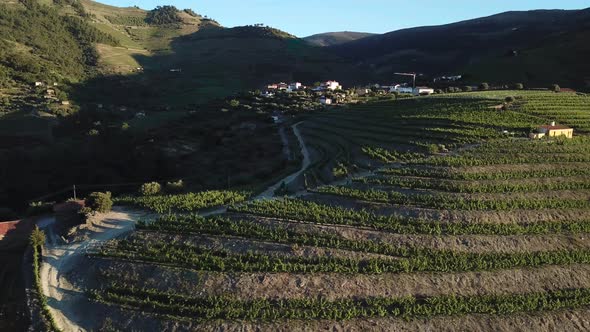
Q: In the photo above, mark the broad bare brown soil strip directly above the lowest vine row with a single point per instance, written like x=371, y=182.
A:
x=336, y=286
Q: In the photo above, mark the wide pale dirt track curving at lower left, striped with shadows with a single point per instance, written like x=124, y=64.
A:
x=59, y=261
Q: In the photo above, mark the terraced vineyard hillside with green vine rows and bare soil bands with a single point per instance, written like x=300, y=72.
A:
x=491, y=235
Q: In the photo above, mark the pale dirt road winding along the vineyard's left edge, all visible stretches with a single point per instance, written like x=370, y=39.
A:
x=60, y=260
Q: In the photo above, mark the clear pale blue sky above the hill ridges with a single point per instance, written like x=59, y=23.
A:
x=306, y=17
